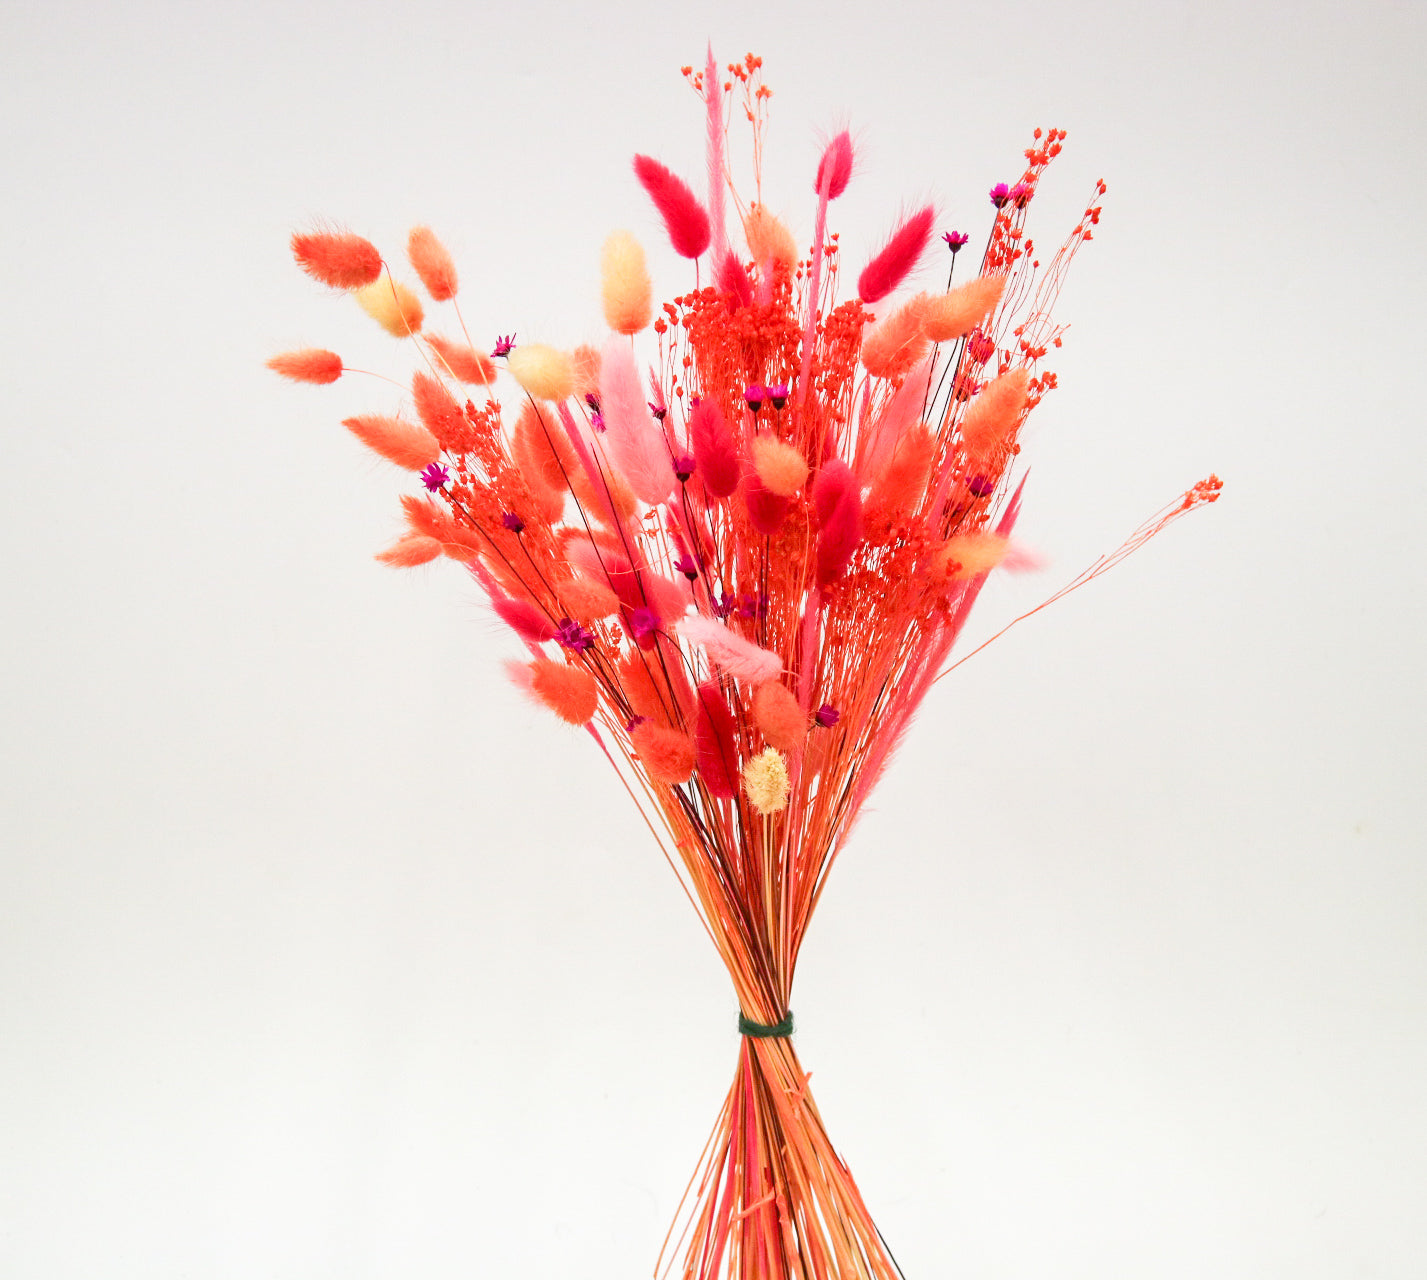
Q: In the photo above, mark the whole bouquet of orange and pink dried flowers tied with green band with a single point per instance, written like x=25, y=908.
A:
x=740, y=569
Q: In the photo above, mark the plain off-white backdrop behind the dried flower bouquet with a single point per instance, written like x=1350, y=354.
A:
x=325, y=955
